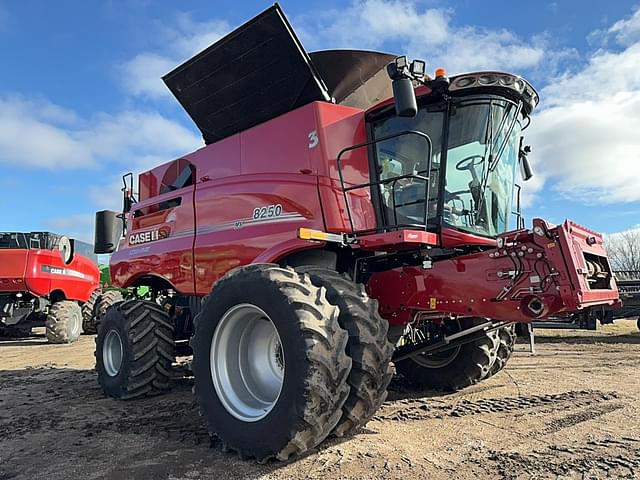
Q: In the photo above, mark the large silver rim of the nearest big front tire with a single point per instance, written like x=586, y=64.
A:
x=247, y=362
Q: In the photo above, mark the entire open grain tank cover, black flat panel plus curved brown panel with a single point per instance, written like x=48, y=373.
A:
x=260, y=71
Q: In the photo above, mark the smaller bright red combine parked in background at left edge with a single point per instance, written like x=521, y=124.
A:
x=46, y=280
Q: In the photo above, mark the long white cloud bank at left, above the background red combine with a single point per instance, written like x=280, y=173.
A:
x=37, y=133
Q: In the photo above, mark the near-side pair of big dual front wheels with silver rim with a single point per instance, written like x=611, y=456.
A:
x=278, y=356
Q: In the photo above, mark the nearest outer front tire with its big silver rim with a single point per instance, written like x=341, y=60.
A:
x=269, y=362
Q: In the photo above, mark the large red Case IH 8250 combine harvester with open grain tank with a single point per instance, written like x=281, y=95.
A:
x=347, y=213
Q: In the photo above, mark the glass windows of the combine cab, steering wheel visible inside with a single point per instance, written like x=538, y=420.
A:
x=478, y=164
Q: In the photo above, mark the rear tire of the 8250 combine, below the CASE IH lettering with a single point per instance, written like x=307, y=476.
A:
x=134, y=350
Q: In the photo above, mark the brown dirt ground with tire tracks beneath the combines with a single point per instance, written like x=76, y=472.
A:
x=570, y=411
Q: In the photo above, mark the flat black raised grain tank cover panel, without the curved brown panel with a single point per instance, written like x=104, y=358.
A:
x=255, y=73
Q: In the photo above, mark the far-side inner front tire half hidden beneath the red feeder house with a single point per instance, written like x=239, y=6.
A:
x=465, y=365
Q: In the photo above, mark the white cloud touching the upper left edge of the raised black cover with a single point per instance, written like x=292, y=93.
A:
x=142, y=75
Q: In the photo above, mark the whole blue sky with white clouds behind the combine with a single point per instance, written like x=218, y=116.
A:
x=81, y=100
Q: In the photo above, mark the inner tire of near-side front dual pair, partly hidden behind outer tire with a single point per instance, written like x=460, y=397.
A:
x=368, y=347
